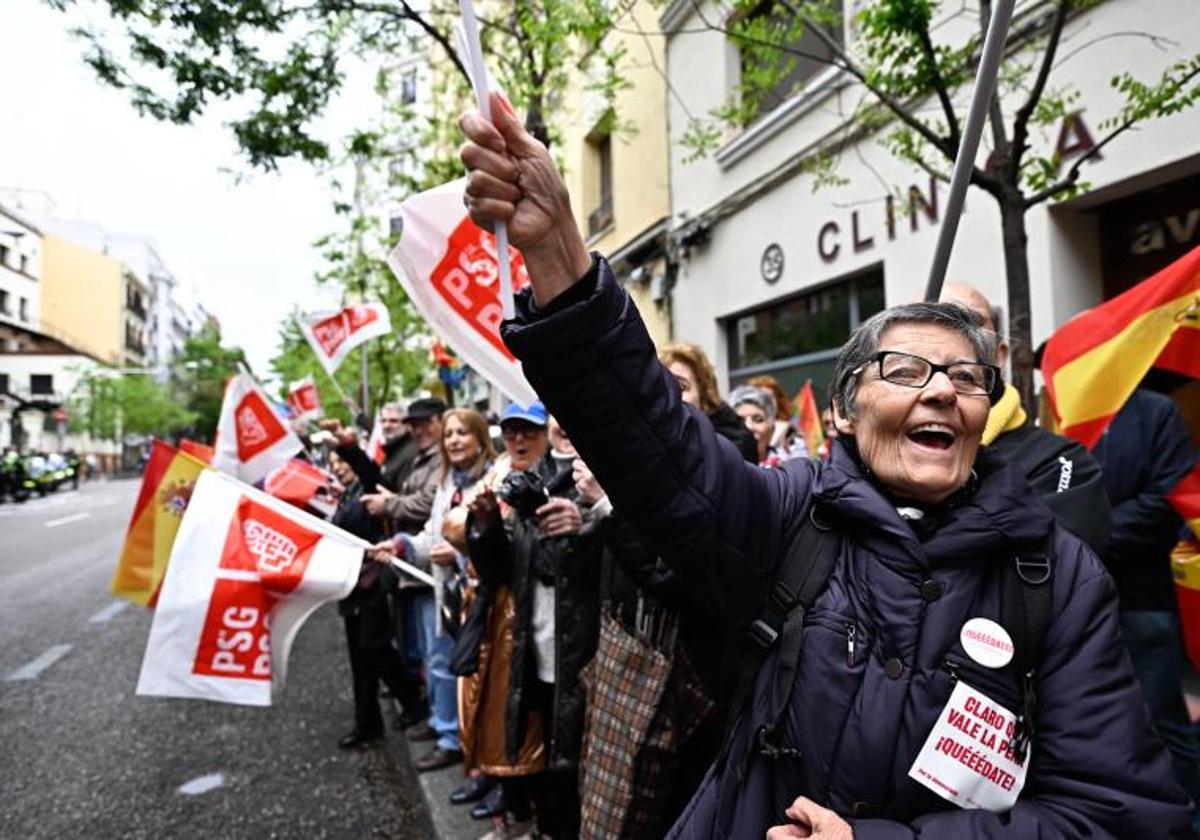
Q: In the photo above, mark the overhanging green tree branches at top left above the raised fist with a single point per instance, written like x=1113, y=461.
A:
x=281, y=63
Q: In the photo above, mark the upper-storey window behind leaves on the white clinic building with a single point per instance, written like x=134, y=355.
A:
x=805, y=58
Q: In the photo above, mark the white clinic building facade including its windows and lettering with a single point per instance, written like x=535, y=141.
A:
x=775, y=273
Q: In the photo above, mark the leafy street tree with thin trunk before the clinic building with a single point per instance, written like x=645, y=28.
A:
x=911, y=83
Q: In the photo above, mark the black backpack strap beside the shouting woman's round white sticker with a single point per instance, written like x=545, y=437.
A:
x=1028, y=613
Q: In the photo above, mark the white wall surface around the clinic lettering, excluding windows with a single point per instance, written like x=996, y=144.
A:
x=723, y=278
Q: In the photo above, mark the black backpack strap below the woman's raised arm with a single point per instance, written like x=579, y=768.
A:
x=802, y=578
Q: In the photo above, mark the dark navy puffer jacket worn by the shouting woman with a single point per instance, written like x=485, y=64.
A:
x=1096, y=769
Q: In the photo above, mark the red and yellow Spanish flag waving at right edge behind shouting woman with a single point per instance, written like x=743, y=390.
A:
x=1096, y=361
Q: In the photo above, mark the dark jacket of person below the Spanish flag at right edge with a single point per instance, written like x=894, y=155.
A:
x=1144, y=454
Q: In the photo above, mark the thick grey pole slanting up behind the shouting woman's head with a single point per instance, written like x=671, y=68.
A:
x=986, y=86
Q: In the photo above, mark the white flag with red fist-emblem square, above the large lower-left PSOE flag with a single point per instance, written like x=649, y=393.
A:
x=251, y=439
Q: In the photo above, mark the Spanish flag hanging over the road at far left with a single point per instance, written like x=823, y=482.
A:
x=166, y=489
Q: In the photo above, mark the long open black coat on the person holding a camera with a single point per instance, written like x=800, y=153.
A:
x=506, y=554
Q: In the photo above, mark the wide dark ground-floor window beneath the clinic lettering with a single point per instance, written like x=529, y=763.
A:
x=799, y=339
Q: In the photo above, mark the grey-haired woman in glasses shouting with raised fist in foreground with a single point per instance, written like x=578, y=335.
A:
x=902, y=698
